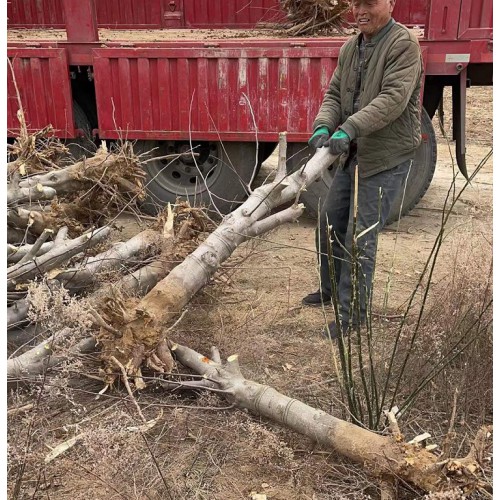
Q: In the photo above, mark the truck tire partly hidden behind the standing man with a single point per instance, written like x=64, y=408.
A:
x=420, y=177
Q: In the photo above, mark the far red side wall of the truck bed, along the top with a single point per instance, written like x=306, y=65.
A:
x=196, y=13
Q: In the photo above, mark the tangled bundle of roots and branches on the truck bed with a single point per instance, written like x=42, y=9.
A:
x=312, y=17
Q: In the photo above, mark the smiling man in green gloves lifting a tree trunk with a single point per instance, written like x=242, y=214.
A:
x=370, y=115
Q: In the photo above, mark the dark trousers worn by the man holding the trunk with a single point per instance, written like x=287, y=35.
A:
x=376, y=195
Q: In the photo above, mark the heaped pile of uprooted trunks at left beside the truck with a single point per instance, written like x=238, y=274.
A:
x=64, y=248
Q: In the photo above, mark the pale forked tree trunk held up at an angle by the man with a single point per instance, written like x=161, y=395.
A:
x=163, y=304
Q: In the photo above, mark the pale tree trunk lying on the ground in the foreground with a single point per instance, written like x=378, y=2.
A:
x=381, y=456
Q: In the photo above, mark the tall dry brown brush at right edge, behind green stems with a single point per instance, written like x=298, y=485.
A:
x=458, y=310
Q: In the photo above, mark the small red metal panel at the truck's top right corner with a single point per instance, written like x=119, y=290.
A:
x=476, y=19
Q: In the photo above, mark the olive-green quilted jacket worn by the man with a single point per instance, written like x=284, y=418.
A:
x=387, y=124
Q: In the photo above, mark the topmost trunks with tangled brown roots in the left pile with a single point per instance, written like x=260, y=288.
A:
x=88, y=190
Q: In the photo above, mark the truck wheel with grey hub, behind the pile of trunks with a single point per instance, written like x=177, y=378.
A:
x=218, y=177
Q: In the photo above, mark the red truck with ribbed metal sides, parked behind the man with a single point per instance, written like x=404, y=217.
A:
x=182, y=75
